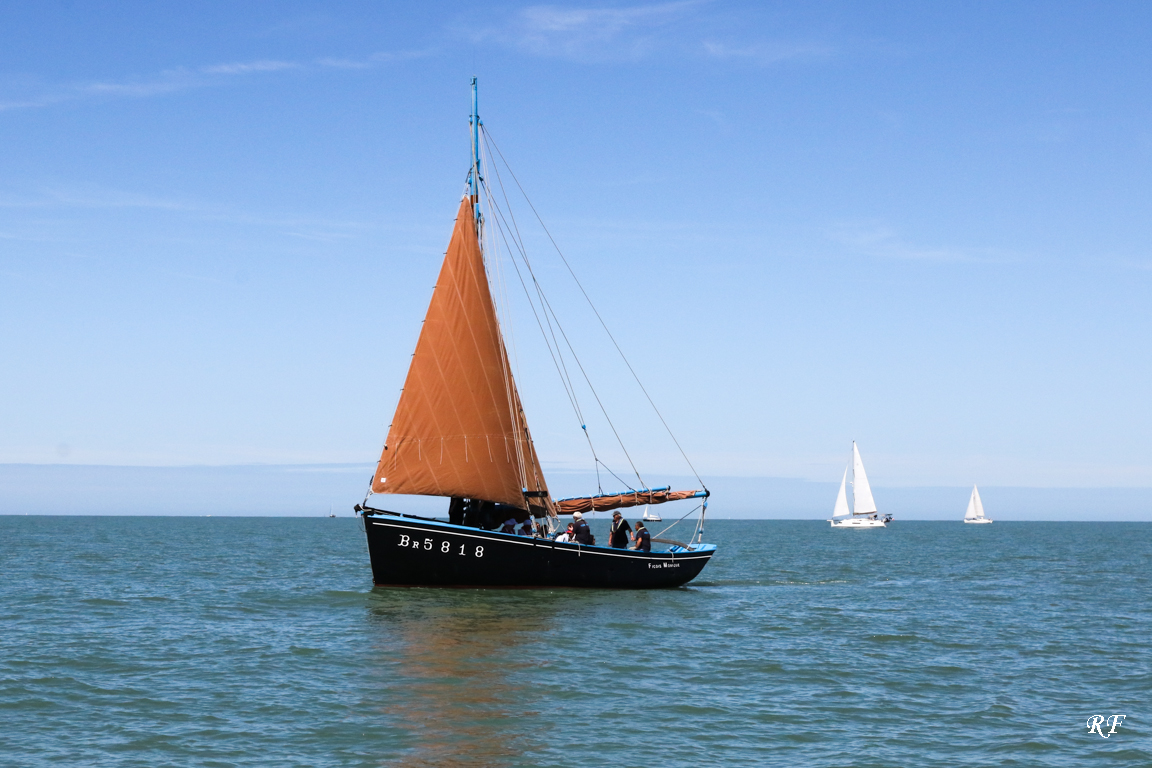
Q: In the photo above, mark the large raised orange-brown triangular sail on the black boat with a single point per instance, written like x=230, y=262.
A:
x=459, y=429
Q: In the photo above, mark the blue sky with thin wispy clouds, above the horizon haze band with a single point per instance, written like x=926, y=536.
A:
x=920, y=226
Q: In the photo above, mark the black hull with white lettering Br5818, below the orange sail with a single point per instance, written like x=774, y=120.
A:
x=408, y=552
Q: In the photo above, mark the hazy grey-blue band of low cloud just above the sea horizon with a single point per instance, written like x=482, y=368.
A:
x=312, y=490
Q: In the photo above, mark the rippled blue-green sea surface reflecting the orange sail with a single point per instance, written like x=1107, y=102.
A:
x=260, y=642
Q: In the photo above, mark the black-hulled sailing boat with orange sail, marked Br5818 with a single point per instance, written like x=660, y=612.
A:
x=460, y=432
